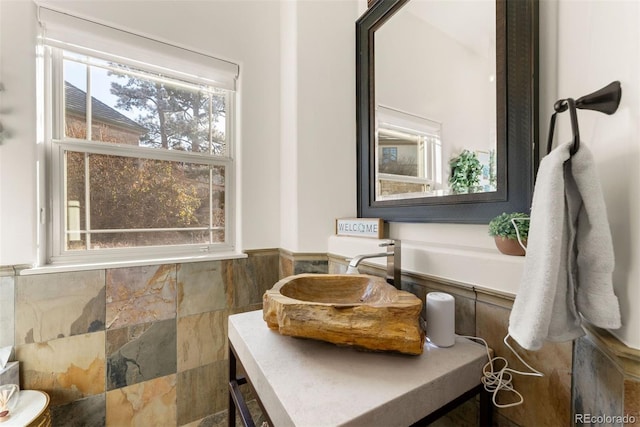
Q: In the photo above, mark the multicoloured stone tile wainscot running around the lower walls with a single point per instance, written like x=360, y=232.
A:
x=147, y=345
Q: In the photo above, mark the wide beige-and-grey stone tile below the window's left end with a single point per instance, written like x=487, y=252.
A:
x=56, y=305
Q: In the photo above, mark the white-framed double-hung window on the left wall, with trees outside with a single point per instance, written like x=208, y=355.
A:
x=140, y=155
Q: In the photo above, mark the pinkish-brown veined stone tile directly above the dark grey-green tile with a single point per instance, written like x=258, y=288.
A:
x=138, y=295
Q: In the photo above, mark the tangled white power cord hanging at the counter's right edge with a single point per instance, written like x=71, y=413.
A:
x=501, y=380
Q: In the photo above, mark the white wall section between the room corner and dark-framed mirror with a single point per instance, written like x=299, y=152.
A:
x=318, y=147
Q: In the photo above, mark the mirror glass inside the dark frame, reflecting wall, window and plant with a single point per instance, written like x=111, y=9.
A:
x=435, y=100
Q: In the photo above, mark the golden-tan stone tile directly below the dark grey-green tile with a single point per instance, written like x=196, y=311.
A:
x=149, y=403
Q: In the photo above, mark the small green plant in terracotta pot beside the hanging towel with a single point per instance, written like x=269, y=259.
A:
x=505, y=234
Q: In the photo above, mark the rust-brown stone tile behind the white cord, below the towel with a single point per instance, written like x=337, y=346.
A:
x=547, y=400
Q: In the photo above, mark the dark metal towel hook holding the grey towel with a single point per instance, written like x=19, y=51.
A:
x=605, y=100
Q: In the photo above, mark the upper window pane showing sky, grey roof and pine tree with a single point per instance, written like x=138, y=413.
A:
x=134, y=107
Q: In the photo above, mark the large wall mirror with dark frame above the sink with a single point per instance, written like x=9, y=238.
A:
x=417, y=139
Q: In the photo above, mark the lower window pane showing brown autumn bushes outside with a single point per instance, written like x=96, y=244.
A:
x=141, y=202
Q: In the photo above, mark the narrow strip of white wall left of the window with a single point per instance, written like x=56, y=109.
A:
x=17, y=150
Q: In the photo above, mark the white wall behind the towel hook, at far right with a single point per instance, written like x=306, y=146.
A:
x=599, y=42
